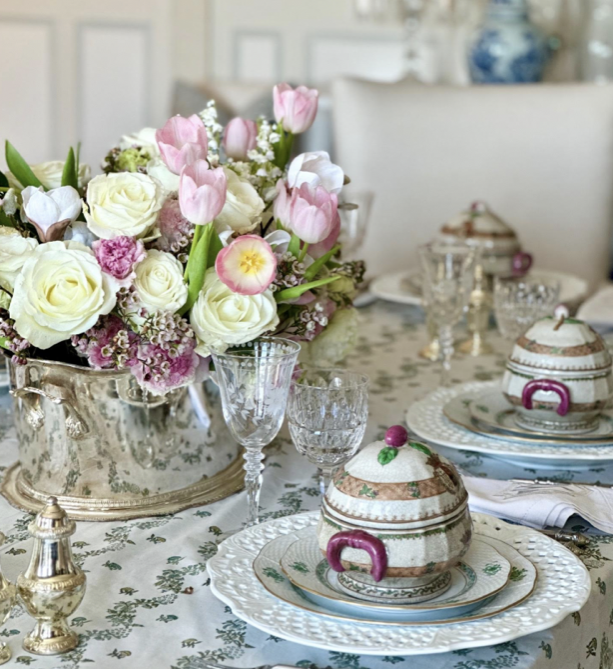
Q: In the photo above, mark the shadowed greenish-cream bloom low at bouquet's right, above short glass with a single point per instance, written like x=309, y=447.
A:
x=336, y=340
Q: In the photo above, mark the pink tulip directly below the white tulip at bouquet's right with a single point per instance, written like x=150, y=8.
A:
x=313, y=213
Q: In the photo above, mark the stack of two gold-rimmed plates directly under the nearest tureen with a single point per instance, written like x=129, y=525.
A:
x=482, y=574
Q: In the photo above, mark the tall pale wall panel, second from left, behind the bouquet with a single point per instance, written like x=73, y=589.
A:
x=113, y=86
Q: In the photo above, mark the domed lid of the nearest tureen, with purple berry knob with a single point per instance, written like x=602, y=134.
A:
x=396, y=483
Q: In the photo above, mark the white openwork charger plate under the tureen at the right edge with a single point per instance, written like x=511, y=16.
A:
x=426, y=418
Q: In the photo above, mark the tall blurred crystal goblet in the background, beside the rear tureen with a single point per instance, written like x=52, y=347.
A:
x=449, y=272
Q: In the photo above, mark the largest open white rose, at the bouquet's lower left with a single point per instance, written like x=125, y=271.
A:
x=59, y=292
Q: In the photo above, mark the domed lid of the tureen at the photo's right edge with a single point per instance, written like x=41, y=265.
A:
x=561, y=343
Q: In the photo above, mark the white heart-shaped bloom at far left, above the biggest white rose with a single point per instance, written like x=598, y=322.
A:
x=51, y=212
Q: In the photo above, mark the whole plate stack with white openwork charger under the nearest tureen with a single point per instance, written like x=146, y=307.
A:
x=513, y=581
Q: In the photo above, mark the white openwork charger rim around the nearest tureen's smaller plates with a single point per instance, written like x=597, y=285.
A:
x=563, y=587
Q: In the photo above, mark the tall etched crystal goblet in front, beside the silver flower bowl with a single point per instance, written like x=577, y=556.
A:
x=254, y=381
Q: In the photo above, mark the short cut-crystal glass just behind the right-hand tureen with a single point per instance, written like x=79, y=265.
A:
x=518, y=303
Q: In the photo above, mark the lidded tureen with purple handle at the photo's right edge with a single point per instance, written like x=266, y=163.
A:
x=559, y=376
